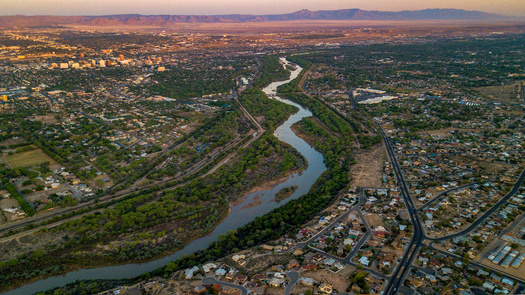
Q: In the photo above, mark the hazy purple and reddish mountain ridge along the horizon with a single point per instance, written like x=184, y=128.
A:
x=305, y=14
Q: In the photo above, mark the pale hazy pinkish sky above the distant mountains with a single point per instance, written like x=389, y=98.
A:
x=210, y=7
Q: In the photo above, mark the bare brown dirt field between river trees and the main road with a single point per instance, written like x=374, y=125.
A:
x=368, y=171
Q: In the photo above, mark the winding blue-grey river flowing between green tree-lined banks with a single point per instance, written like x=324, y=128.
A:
x=259, y=204
